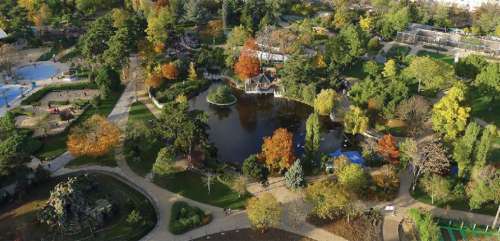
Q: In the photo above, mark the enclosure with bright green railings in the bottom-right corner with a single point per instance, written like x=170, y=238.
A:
x=455, y=230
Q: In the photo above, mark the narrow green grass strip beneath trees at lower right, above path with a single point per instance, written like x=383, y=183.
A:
x=458, y=204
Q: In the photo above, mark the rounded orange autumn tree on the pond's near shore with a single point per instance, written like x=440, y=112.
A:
x=277, y=151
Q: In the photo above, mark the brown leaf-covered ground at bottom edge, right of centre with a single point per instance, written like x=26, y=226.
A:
x=359, y=229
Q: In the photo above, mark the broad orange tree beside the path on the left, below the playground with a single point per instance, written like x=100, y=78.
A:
x=95, y=137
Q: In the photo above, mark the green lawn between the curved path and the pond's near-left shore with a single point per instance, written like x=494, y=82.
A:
x=191, y=185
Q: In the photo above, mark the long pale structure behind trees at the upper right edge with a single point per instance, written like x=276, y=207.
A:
x=418, y=33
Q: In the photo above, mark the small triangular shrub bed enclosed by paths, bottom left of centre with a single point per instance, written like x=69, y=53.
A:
x=185, y=217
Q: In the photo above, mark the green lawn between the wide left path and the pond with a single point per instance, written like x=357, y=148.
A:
x=140, y=113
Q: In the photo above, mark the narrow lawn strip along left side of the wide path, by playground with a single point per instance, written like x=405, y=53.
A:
x=55, y=145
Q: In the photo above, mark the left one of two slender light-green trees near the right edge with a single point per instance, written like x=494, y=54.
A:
x=463, y=147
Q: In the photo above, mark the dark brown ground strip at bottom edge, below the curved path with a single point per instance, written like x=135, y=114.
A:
x=249, y=234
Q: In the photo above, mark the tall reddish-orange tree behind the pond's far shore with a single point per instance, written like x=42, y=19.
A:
x=248, y=64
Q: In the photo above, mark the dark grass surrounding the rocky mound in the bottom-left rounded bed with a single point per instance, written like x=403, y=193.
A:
x=19, y=217
